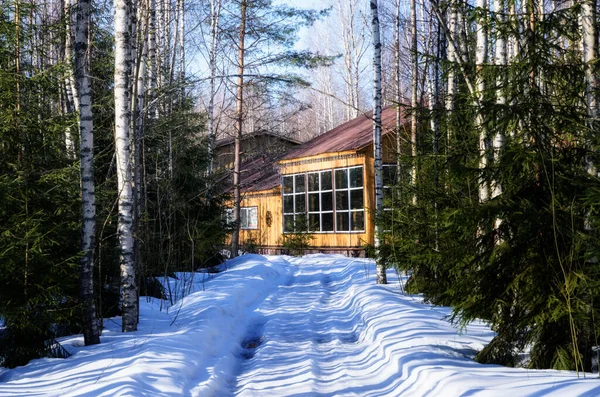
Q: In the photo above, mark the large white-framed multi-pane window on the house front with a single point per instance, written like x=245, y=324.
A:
x=324, y=201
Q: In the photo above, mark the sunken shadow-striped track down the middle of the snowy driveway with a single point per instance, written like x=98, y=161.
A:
x=307, y=324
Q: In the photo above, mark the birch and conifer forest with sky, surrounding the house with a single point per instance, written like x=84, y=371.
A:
x=110, y=112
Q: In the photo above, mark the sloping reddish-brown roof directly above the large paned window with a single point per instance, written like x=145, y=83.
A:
x=352, y=135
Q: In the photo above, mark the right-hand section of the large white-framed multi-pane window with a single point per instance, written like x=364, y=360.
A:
x=349, y=199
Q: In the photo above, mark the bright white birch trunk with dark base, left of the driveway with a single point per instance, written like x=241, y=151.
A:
x=122, y=95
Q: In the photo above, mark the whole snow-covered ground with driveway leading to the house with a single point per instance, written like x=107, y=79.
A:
x=280, y=326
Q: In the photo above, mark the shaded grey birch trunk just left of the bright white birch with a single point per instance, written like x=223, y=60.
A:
x=91, y=333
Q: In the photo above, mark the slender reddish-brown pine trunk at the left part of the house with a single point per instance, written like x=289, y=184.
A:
x=238, y=133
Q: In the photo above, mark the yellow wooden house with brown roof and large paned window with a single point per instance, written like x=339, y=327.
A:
x=325, y=186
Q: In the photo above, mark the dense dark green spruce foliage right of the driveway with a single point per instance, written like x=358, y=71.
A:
x=525, y=259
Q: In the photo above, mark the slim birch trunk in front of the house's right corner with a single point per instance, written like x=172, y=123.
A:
x=377, y=151
